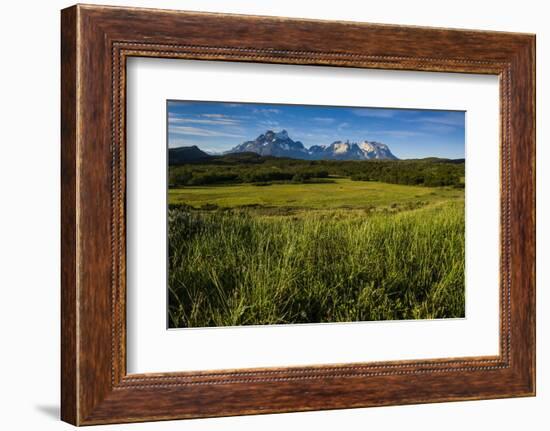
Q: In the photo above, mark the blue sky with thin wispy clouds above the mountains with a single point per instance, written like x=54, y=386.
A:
x=410, y=133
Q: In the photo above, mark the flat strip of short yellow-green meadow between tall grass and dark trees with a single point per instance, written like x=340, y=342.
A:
x=340, y=193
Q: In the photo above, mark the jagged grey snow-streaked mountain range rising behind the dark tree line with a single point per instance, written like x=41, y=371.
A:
x=280, y=145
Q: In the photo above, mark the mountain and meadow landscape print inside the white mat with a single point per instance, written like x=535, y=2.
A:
x=288, y=214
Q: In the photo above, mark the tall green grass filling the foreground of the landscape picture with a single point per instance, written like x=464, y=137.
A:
x=234, y=268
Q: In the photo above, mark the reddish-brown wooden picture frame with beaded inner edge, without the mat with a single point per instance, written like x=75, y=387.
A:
x=95, y=43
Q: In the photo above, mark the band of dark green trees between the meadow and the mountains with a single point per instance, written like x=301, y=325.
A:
x=247, y=168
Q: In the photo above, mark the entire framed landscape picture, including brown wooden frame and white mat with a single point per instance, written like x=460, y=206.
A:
x=263, y=214
